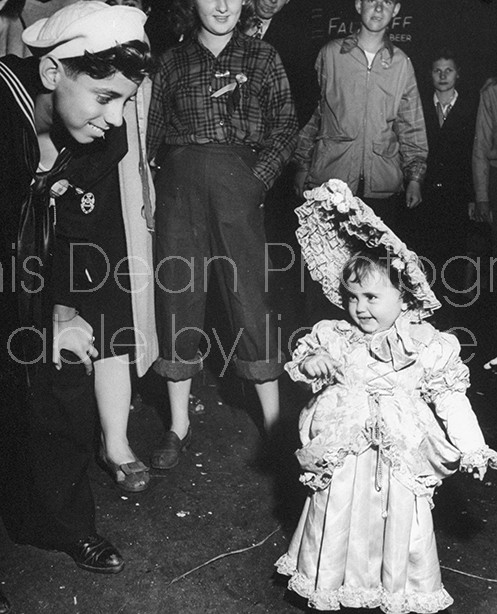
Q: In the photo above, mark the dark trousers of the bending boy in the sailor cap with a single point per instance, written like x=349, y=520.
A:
x=49, y=502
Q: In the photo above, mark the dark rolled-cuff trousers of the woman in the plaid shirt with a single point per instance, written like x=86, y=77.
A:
x=210, y=216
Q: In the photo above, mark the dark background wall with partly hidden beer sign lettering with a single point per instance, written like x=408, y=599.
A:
x=469, y=27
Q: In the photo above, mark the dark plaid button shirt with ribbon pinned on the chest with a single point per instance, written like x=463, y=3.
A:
x=258, y=113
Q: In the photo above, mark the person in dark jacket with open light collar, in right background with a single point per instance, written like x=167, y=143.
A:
x=448, y=191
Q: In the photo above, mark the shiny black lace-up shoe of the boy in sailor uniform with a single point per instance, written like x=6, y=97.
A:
x=95, y=553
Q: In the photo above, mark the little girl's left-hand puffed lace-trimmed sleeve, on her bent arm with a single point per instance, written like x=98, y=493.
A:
x=323, y=339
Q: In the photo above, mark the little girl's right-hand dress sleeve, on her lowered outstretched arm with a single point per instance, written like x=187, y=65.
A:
x=445, y=383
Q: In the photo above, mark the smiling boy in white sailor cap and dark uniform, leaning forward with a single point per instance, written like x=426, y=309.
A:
x=62, y=113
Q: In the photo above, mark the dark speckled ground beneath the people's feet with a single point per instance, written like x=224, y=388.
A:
x=222, y=499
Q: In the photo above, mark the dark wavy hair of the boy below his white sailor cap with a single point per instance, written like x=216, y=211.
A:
x=132, y=59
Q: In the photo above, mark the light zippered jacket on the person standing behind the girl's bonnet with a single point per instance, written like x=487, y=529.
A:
x=369, y=121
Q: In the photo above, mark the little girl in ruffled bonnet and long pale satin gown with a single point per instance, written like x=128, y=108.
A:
x=389, y=422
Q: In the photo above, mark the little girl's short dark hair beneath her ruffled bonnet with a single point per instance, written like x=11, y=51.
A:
x=364, y=263
